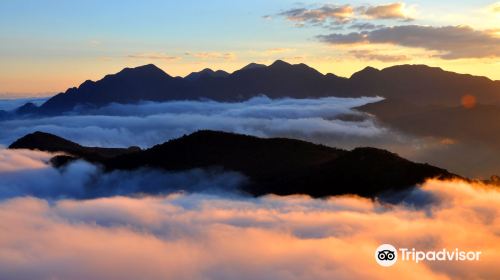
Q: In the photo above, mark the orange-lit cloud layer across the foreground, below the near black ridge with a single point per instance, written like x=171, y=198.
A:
x=199, y=236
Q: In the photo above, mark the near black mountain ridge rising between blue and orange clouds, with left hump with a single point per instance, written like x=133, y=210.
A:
x=277, y=165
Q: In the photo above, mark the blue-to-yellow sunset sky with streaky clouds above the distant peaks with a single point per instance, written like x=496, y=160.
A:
x=47, y=46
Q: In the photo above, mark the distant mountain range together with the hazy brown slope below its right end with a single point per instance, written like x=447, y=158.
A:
x=419, y=101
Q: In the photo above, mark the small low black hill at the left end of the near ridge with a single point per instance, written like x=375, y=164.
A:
x=51, y=143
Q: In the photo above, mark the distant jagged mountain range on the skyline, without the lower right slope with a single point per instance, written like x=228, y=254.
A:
x=418, y=83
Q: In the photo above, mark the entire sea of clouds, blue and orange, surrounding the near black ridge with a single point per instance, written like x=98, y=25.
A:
x=78, y=222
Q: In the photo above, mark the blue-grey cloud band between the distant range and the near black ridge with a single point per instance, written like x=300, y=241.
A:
x=151, y=123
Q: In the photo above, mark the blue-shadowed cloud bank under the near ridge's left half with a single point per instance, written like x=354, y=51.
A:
x=28, y=173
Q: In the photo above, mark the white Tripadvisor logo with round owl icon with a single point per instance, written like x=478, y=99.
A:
x=387, y=255
